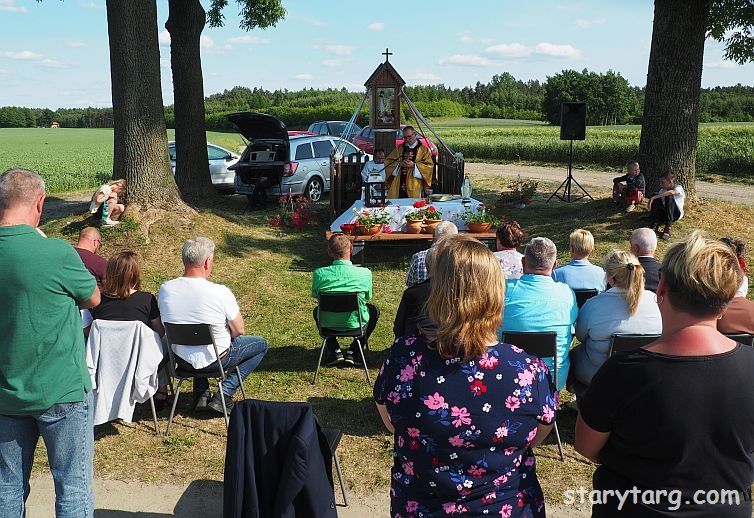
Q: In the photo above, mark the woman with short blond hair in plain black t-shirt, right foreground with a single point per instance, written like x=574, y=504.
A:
x=676, y=415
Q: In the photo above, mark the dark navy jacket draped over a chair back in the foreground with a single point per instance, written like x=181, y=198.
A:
x=277, y=463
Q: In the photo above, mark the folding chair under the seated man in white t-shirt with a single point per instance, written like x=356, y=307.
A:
x=196, y=335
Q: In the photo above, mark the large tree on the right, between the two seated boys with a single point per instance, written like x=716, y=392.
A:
x=670, y=125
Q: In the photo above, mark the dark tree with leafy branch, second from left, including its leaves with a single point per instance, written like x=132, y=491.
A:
x=185, y=24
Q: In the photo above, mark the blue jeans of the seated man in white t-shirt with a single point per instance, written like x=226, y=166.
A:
x=246, y=352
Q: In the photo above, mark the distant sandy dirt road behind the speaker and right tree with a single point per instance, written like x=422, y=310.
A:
x=735, y=193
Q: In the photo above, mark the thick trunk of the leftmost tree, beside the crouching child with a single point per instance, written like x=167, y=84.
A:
x=140, y=139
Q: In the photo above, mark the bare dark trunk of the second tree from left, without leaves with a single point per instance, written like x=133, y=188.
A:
x=185, y=24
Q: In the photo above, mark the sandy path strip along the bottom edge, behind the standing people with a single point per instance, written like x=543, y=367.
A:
x=200, y=499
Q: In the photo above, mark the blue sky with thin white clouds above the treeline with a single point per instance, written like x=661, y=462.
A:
x=55, y=54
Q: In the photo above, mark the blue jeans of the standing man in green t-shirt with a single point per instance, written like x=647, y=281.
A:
x=68, y=433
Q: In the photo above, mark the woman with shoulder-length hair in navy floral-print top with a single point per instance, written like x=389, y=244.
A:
x=465, y=410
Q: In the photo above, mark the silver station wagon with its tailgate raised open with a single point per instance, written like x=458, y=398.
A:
x=280, y=164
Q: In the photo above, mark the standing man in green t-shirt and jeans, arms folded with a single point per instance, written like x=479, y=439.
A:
x=44, y=383
